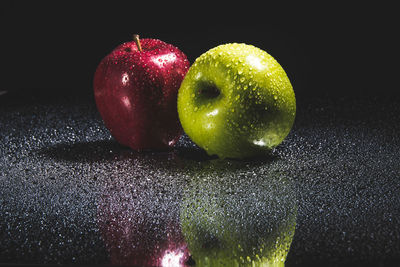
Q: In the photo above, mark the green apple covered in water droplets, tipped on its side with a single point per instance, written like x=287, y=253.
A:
x=236, y=101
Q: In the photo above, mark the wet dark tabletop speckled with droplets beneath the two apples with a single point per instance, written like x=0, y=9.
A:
x=70, y=194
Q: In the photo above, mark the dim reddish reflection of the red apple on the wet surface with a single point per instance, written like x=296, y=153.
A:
x=138, y=215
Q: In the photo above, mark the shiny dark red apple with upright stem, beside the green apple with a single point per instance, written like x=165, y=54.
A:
x=136, y=93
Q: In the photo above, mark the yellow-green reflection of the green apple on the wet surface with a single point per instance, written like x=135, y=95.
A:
x=238, y=214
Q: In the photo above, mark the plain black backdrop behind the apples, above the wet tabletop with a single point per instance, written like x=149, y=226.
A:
x=341, y=49
